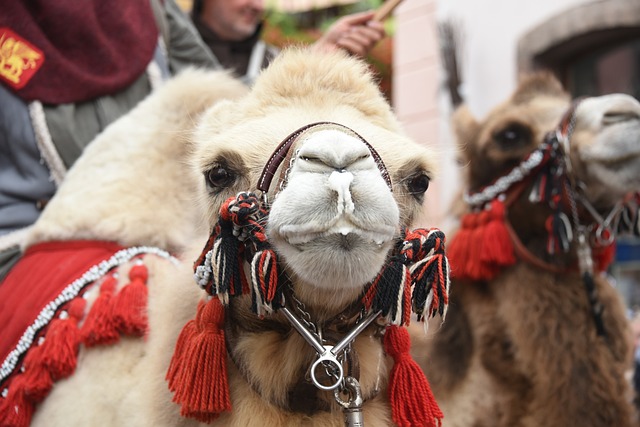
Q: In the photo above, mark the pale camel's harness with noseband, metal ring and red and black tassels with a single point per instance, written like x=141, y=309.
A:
x=415, y=277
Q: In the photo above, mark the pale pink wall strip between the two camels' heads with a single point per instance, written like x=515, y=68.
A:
x=418, y=101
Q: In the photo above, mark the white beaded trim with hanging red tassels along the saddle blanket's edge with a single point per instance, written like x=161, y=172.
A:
x=47, y=350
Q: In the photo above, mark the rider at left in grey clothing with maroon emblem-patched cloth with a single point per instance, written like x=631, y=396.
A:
x=68, y=69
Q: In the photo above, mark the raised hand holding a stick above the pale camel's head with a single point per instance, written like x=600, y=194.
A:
x=356, y=33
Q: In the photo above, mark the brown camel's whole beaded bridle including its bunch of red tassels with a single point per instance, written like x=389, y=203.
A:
x=487, y=243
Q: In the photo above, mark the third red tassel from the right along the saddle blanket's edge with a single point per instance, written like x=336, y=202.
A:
x=62, y=339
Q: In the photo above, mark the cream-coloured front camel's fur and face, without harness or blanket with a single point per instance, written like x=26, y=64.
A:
x=158, y=177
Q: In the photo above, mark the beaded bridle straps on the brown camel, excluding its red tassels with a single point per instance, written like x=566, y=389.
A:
x=546, y=172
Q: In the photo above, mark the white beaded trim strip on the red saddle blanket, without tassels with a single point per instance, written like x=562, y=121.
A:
x=70, y=292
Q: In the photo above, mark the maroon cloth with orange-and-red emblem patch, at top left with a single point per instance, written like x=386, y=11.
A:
x=90, y=48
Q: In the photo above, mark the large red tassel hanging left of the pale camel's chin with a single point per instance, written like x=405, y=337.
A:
x=198, y=370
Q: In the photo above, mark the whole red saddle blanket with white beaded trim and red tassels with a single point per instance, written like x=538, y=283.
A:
x=44, y=316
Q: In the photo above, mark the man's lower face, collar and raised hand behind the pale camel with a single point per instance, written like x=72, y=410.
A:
x=232, y=29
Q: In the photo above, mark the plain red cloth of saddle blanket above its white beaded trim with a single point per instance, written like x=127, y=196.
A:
x=42, y=273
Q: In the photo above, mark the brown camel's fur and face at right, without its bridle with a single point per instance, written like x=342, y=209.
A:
x=521, y=349
